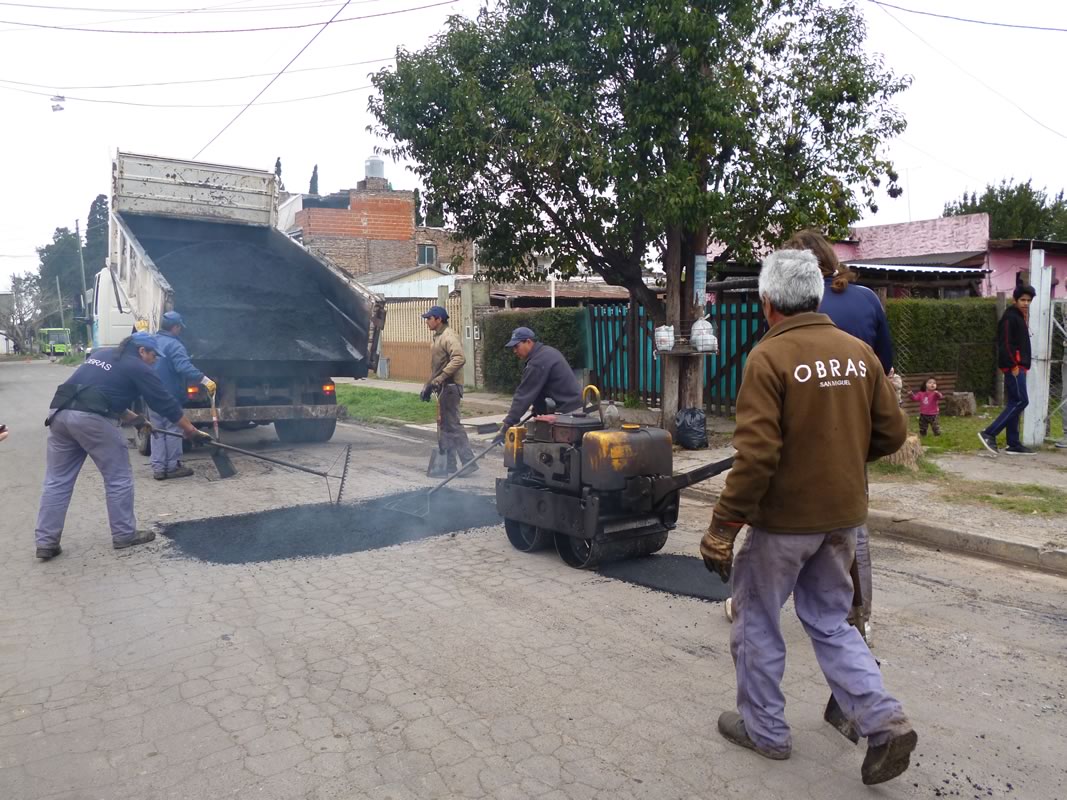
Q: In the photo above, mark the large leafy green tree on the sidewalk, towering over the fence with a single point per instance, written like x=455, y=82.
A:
x=596, y=132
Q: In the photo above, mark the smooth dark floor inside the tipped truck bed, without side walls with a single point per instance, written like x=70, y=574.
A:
x=242, y=301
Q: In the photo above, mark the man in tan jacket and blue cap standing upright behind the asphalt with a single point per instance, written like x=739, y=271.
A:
x=447, y=382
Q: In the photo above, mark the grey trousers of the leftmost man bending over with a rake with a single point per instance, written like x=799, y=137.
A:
x=72, y=437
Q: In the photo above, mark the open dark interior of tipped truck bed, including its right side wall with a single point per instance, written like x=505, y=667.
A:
x=251, y=295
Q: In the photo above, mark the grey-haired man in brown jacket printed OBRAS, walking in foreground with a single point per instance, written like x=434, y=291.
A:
x=815, y=407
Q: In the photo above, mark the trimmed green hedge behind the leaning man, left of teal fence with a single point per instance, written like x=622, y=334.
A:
x=565, y=329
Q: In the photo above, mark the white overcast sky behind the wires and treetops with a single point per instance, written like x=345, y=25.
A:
x=968, y=124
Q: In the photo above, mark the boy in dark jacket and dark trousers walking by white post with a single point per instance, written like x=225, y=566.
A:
x=1013, y=358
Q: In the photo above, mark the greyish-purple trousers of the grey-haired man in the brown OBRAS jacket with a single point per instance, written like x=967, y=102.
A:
x=815, y=568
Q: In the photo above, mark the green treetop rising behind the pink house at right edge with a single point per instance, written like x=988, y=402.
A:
x=1016, y=211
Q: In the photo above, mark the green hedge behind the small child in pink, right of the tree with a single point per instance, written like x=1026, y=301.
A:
x=947, y=337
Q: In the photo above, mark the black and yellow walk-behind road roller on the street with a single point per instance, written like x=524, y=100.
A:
x=598, y=493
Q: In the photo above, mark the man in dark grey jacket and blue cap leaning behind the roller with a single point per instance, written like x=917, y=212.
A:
x=547, y=376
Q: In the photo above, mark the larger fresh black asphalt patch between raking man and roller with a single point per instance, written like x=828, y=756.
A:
x=322, y=531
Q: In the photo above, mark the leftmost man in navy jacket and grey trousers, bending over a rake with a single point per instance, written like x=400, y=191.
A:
x=84, y=420
